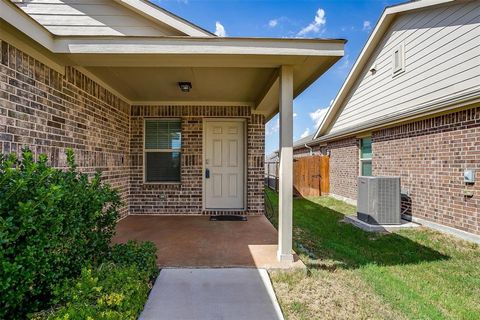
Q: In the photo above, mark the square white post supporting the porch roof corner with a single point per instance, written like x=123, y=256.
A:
x=286, y=165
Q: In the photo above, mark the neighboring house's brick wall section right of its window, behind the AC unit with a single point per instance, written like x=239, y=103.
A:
x=430, y=157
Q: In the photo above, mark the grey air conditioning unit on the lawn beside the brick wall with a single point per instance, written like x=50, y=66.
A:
x=378, y=200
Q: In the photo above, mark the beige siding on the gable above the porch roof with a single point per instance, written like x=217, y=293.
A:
x=91, y=17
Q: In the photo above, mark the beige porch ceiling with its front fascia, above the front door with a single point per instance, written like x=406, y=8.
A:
x=233, y=71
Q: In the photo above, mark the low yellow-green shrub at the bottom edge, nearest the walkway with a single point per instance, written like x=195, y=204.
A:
x=103, y=293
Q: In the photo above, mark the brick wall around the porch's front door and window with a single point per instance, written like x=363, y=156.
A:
x=49, y=112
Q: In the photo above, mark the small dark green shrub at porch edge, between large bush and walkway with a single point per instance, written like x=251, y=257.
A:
x=141, y=255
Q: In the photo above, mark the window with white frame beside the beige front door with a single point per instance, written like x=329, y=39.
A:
x=162, y=150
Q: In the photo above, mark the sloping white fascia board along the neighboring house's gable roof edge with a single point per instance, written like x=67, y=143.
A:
x=377, y=34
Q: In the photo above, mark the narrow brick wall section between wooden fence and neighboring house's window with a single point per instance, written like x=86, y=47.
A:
x=344, y=167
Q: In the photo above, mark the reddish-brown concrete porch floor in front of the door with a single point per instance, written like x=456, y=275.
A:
x=197, y=242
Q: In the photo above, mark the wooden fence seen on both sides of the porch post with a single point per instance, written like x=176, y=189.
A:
x=310, y=176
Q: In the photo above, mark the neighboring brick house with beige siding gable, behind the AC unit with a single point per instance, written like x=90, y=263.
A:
x=410, y=108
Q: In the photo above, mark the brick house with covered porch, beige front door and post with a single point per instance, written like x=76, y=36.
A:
x=173, y=115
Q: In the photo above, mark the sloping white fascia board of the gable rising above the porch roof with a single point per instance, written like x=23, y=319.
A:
x=158, y=14
